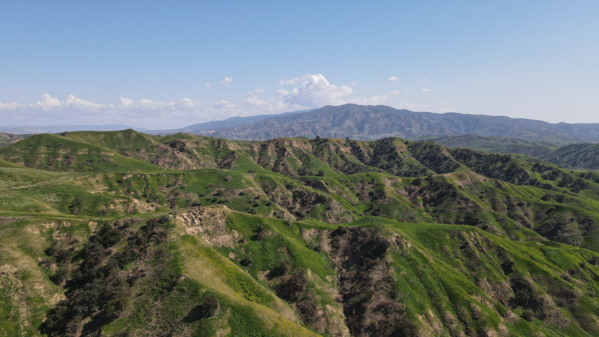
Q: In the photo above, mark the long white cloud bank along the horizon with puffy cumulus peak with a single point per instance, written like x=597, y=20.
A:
x=303, y=92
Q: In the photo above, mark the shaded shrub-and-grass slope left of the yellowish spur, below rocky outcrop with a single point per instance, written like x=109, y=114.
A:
x=126, y=274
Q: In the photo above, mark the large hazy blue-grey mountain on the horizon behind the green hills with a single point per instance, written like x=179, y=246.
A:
x=375, y=122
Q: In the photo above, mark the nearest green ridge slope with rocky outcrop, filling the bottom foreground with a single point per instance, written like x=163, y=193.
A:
x=217, y=272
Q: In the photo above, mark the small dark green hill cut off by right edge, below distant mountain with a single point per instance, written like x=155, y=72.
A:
x=582, y=156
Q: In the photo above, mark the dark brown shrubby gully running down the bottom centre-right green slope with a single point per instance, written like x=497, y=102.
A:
x=371, y=304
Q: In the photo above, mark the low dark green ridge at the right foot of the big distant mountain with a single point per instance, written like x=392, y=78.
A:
x=495, y=144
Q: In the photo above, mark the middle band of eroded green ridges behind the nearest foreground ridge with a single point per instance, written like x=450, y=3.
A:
x=337, y=180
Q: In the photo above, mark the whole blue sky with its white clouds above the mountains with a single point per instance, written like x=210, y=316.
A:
x=148, y=63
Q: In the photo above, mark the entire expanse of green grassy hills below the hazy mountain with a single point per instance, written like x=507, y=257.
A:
x=292, y=237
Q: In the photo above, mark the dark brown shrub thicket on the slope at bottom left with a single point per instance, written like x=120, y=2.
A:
x=98, y=287
